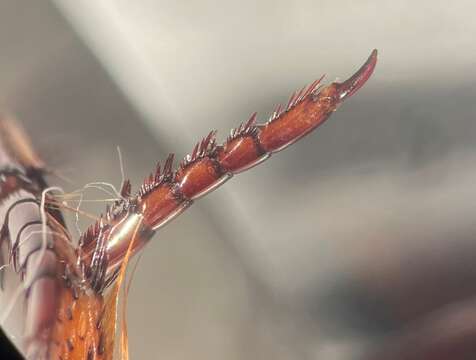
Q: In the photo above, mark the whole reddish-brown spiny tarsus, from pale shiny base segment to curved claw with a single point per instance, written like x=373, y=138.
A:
x=165, y=193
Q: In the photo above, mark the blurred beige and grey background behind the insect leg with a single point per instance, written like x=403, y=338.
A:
x=356, y=243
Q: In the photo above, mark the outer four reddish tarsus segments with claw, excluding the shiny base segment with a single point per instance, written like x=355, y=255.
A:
x=209, y=165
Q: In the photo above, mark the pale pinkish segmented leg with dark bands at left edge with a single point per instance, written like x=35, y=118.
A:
x=30, y=247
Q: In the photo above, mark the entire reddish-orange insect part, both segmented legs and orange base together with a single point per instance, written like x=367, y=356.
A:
x=71, y=289
